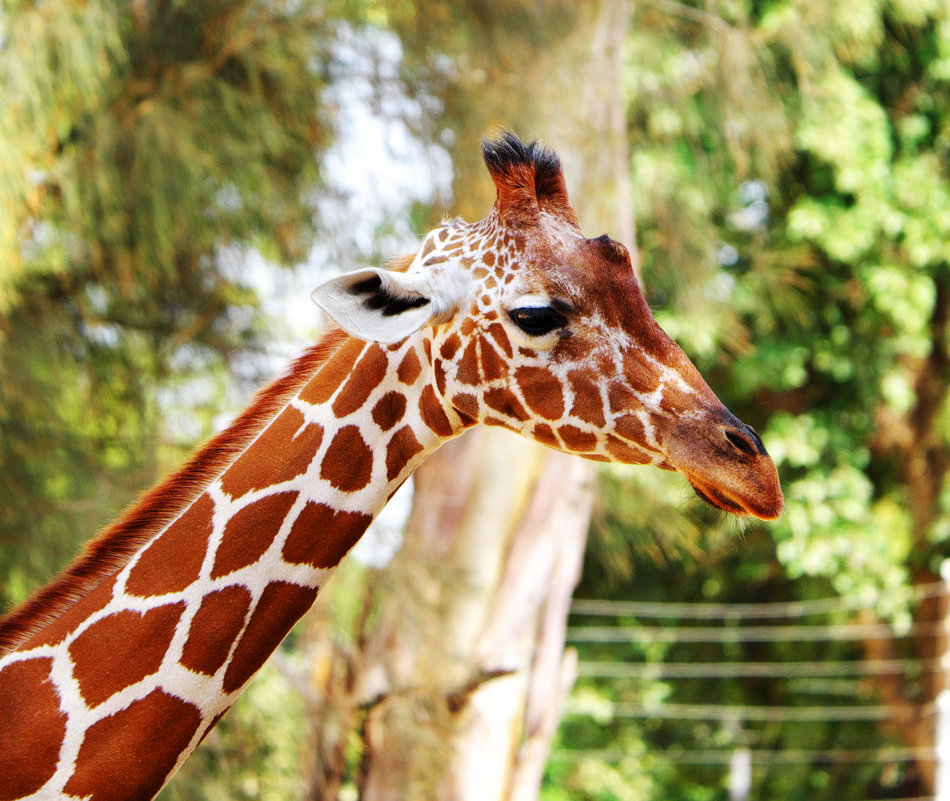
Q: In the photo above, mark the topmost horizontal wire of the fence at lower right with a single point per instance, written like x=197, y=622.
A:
x=713, y=611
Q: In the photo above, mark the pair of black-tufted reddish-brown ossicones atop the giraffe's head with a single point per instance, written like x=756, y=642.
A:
x=528, y=179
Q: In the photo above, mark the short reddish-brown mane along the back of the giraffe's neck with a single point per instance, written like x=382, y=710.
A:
x=157, y=508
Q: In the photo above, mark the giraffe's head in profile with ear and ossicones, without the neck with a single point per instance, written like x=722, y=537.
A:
x=534, y=327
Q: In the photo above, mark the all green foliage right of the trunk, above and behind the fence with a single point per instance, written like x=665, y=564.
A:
x=789, y=162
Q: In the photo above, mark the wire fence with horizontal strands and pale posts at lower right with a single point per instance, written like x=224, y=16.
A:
x=732, y=626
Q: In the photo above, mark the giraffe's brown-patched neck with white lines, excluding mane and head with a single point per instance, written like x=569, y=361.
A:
x=171, y=635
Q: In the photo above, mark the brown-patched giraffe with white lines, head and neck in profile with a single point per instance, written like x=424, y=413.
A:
x=113, y=673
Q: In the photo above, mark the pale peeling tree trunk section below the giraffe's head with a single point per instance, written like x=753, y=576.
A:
x=471, y=637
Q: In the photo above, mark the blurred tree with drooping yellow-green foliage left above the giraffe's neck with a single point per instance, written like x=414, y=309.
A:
x=144, y=145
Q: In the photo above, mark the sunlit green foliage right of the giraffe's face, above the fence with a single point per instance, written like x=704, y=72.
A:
x=793, y=217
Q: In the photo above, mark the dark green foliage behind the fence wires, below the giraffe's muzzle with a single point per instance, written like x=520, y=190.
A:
x=602, y=752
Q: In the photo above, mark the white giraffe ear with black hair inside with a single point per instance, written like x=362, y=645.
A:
x=382, y=306
